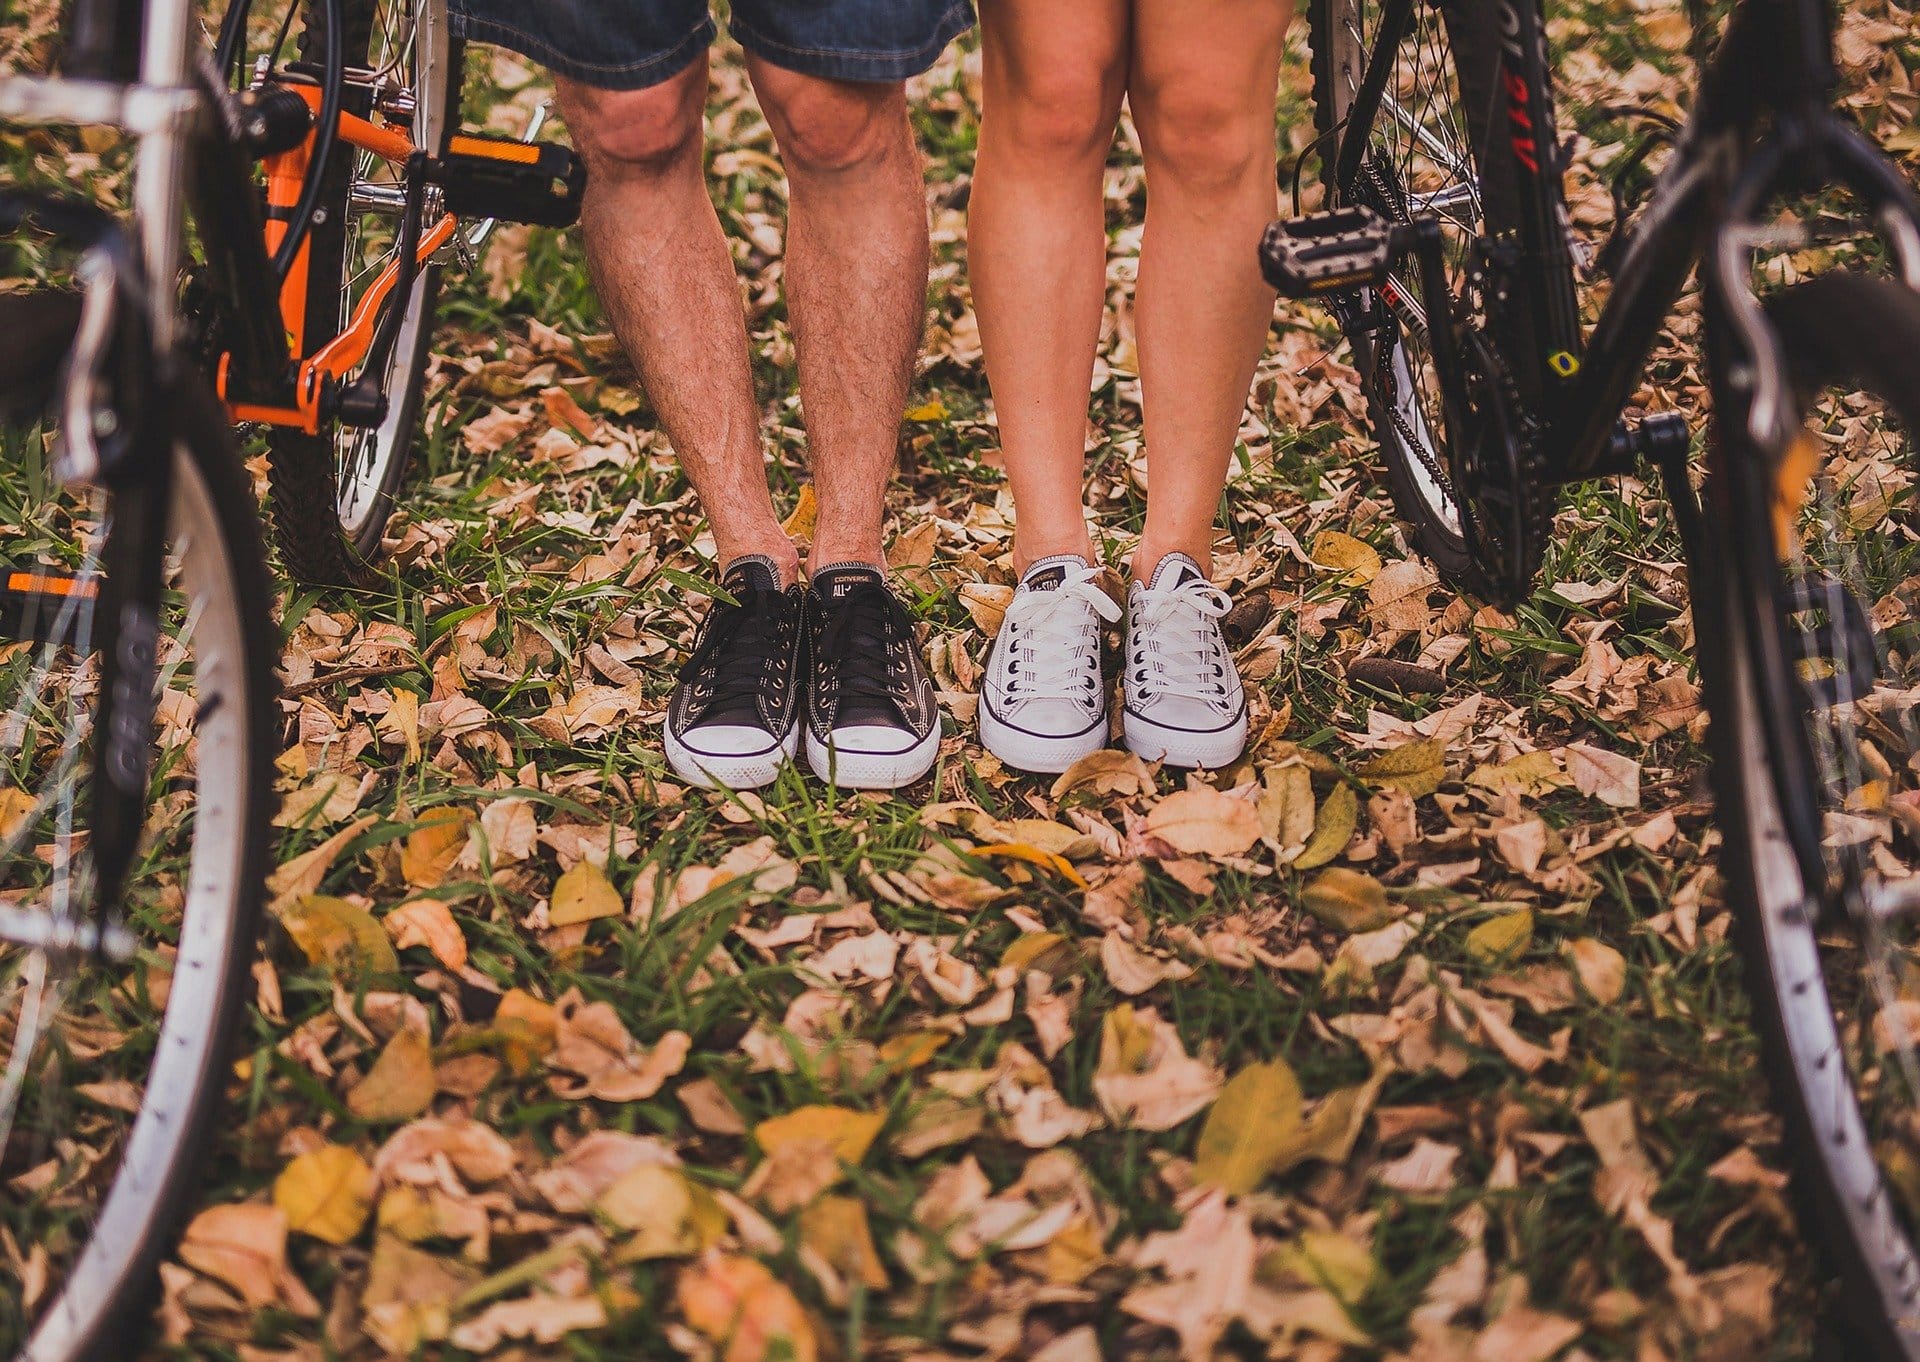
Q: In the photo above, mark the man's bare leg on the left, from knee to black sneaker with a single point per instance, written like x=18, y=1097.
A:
x=665, y=278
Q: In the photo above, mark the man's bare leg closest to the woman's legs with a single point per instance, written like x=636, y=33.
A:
x=857, y=289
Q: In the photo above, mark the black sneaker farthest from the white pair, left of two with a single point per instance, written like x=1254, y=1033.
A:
x=734, y=717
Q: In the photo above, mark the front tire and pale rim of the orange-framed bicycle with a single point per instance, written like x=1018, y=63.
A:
x=103, y=1301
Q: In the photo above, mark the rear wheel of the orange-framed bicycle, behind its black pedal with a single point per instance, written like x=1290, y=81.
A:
x=333, y=493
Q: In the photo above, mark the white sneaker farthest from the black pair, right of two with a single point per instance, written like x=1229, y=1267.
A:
x=1186, y=704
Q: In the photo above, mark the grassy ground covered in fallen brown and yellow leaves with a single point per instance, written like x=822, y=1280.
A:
x=1416, y=1034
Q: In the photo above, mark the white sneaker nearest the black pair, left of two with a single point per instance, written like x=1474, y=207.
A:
x=1044, y=704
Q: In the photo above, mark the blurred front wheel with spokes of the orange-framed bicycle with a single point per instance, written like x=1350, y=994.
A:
x=114, y=1067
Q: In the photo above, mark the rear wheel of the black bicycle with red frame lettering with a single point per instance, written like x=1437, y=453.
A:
x=1418, y=158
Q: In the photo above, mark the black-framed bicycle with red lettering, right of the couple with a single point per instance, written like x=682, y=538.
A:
x=1449, y=260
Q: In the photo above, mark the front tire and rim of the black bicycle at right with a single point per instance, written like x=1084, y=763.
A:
x=1860, y=331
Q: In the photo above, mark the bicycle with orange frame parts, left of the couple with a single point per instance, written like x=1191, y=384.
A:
x=137, y=725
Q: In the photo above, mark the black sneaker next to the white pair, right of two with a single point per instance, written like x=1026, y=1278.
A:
x=873, y=721
